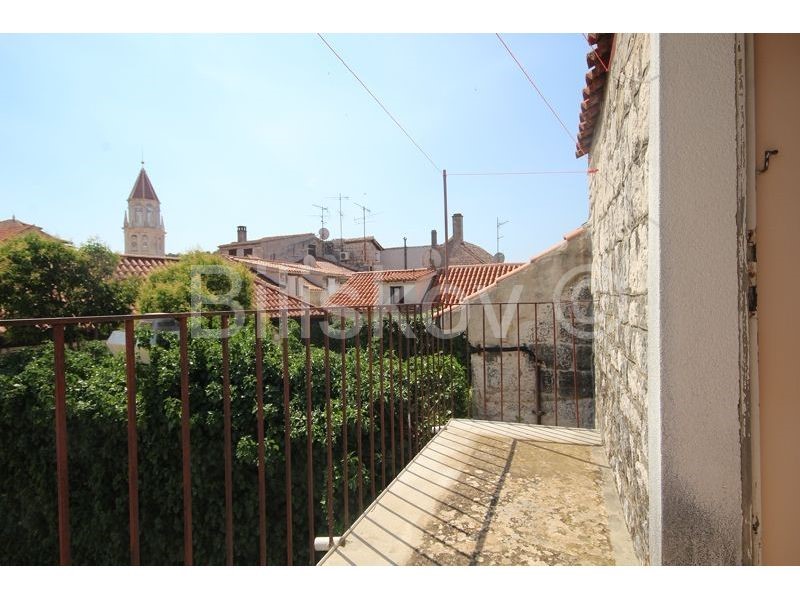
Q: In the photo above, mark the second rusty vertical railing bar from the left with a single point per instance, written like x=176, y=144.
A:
x=133, y=453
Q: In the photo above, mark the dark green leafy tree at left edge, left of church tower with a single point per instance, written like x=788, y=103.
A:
x=47, y=278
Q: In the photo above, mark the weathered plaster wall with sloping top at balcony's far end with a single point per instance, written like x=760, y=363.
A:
x=559, y=274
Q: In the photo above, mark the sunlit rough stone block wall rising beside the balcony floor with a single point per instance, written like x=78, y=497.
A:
x=619, y=222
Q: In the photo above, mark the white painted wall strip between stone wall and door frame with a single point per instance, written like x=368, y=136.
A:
x=693, y=356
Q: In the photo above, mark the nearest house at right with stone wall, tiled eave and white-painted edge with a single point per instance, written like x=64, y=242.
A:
x=693, y=143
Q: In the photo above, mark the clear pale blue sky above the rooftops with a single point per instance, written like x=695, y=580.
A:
x=255, y=129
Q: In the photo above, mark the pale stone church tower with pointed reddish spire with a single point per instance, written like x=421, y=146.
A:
x=143, y=226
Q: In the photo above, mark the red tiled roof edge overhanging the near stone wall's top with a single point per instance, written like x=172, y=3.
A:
x=599, y=60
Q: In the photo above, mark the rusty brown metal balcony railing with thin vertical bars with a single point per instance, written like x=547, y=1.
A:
x=394, y=347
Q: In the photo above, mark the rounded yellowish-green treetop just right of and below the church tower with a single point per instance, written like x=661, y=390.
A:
x=216, y=282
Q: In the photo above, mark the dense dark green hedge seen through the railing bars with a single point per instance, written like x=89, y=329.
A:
x=96, y=421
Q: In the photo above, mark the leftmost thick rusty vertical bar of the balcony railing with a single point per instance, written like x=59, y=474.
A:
x=62, y=457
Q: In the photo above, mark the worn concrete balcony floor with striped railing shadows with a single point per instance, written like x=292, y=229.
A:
x=490, y=493
